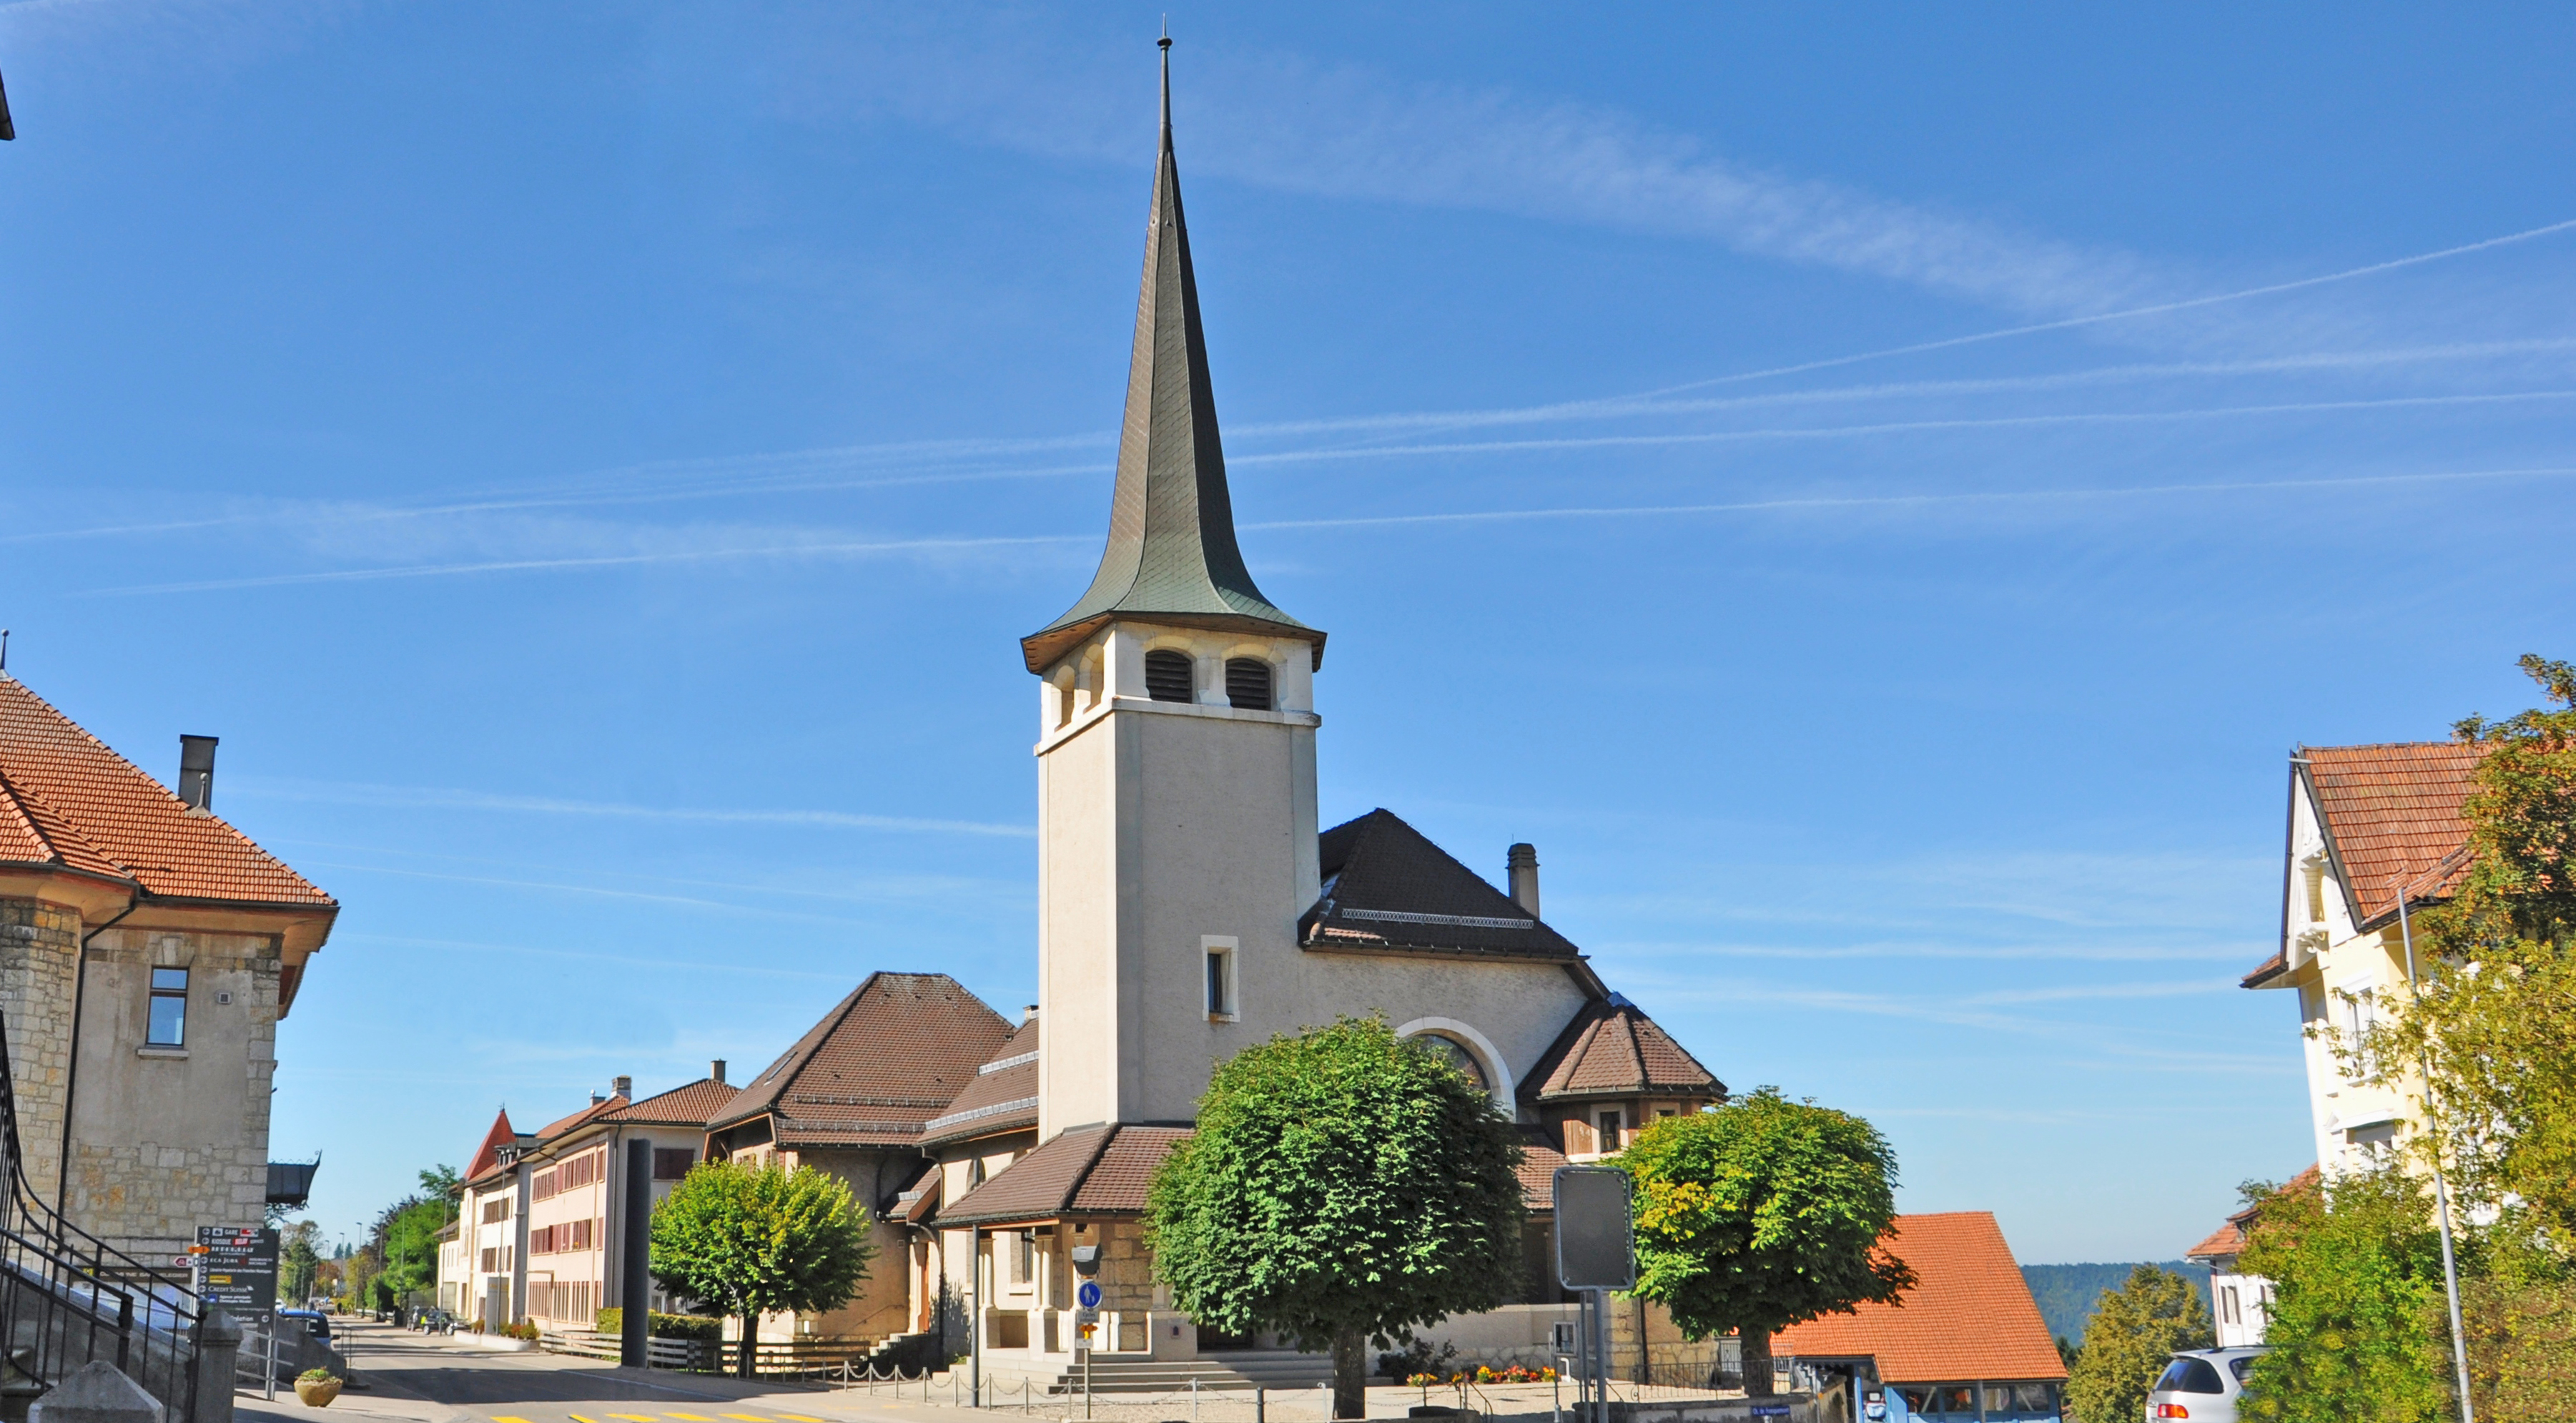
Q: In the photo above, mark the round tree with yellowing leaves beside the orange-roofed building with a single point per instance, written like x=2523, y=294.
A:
x=1761, y=1215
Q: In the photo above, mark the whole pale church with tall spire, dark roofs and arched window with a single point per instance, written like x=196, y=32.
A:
x=1191, y=906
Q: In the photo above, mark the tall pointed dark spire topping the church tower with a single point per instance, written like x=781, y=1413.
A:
x=1171, y=556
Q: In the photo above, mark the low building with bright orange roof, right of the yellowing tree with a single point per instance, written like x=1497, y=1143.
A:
x=1967, y=1344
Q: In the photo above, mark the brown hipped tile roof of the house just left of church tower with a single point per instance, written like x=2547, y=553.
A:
x=877, y=1066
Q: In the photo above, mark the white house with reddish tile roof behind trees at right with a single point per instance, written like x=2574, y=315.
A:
x=2366, y=826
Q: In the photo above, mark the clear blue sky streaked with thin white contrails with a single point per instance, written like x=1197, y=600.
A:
x=1874, y=494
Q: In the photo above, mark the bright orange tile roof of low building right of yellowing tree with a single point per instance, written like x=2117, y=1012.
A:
x=1967, y=1319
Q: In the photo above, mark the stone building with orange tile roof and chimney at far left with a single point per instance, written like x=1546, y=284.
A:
x=148, y=953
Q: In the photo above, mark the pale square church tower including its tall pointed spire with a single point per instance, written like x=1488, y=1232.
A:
x=1176, y=749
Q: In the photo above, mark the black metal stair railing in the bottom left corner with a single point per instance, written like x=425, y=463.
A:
x=68, y=1298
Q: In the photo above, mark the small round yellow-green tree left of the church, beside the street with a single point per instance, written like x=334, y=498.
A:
x=759, y=1241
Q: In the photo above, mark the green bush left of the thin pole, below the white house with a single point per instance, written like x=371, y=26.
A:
x=2358, y=1324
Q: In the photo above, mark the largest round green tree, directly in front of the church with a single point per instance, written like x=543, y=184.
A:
x=1341, y=1187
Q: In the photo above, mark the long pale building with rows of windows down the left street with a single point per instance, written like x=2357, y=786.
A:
x=542, y=1218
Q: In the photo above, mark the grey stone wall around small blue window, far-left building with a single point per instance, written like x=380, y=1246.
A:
x=166, y=1141
